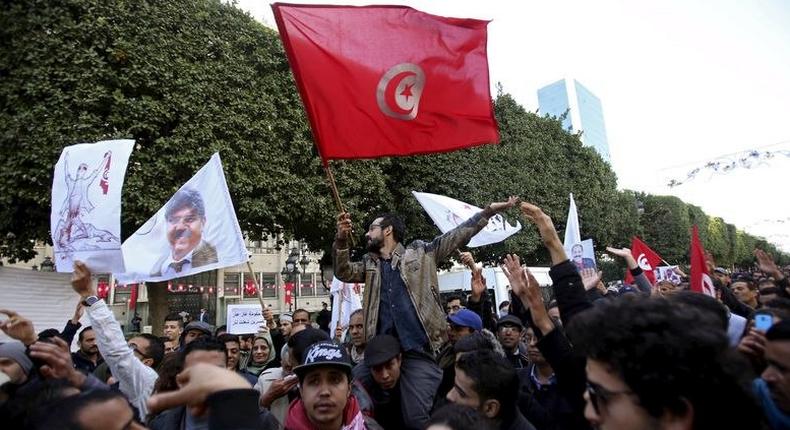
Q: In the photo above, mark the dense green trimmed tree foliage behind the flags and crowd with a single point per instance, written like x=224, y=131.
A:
x=190, y=78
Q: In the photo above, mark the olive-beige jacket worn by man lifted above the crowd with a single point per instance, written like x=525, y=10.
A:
x=417, y=266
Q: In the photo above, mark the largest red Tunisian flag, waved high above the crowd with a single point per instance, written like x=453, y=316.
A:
x=388, y=80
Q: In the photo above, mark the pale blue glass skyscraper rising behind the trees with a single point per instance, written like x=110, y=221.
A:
x=584, y=112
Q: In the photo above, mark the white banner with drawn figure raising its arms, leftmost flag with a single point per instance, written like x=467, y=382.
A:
x=86, y=205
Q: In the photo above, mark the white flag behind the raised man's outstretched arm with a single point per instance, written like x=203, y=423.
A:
x=449, y=213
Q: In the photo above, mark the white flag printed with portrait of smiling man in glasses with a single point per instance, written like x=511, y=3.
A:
x=195, y=231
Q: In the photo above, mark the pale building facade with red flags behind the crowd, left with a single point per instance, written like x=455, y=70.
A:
x=290, y=277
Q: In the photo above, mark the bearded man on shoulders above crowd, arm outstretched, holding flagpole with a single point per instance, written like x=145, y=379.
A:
x=401, y=296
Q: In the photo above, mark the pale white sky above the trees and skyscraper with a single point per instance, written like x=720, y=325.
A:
x=681, y=82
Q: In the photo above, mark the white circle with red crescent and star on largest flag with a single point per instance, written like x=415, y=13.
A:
x=399, y=90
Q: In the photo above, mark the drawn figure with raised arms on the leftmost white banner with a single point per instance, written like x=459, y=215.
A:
x=73, y=233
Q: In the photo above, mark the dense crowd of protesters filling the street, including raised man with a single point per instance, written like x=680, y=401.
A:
x=642, y=356
